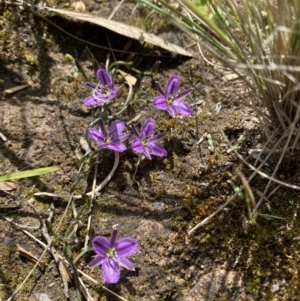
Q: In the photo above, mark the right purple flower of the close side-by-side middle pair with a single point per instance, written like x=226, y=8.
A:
x=146, y=142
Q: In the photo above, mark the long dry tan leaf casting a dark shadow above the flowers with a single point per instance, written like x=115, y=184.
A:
x=125, y=30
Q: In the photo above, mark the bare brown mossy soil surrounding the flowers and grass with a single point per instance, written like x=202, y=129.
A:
x=42, y=124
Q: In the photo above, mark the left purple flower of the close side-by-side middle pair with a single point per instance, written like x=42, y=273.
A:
x=112, y=139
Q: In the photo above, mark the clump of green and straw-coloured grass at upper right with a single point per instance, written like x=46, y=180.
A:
x=259, y=40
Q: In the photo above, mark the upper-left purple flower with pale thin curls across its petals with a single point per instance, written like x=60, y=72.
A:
x=103, y=92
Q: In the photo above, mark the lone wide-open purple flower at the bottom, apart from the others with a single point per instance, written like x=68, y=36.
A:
x=112, y=254
